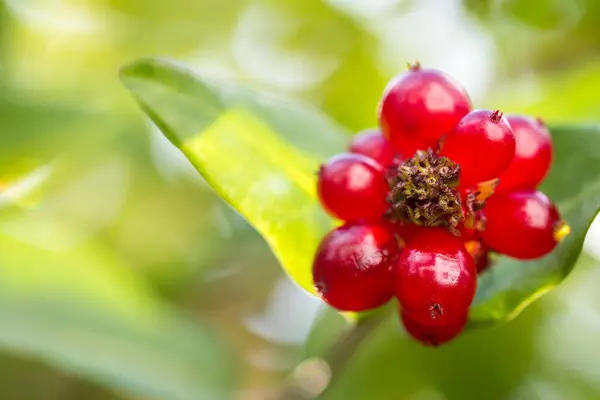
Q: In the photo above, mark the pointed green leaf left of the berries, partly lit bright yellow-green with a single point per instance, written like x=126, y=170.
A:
x=260, y=154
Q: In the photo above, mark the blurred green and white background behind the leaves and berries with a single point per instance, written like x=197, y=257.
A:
x=122, y=276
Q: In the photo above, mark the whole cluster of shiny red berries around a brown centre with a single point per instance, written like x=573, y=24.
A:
x=426, y=199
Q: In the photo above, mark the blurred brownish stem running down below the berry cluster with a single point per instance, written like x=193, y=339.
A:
x=336, y=358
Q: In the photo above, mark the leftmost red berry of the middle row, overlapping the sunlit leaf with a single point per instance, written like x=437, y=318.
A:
x=352, y=187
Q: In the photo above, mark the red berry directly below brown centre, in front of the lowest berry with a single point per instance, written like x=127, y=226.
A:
x=436, y=278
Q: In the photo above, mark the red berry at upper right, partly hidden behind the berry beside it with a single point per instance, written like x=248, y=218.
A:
x=533, y=155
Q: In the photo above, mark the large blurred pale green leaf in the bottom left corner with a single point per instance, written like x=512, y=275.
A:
x=84, y=312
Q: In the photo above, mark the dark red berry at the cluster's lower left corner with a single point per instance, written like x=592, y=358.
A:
x=354, y=266
